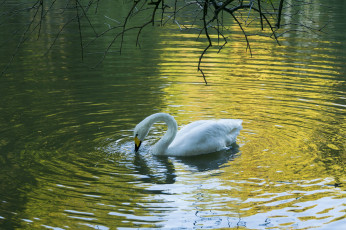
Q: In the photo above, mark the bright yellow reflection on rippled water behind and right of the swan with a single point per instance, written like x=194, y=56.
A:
x=291, y=153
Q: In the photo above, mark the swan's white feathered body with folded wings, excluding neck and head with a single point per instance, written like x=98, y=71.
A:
x=205, y=137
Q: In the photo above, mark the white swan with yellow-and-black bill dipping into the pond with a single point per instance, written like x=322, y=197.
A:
x=199, y=137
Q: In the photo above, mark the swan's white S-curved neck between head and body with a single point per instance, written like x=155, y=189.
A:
x=161, y=146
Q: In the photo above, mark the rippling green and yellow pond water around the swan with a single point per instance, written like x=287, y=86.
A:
x=67, y=159
